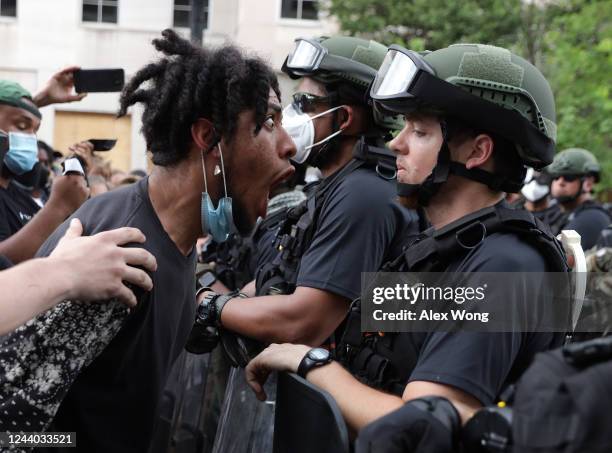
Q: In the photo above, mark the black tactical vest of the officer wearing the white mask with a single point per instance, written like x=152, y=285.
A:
x=296, y=230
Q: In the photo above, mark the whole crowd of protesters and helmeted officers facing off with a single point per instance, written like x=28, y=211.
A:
x=441, y=161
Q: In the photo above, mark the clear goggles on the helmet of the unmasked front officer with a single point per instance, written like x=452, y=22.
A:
x=397, y=73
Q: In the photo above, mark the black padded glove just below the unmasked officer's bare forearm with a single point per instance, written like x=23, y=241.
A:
x=429, y=424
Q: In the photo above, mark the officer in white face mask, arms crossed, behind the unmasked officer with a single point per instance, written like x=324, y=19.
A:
x=350, y=222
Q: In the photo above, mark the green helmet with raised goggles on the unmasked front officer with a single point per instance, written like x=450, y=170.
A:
x=488, y=87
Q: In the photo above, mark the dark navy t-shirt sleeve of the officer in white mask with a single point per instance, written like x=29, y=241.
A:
x=360, y=226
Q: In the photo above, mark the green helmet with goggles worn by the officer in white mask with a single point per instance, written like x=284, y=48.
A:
x=348, y=64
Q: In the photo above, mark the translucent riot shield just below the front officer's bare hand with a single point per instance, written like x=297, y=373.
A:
x=246, y=424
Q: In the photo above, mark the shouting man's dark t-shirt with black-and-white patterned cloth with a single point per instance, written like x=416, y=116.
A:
x=120, y=360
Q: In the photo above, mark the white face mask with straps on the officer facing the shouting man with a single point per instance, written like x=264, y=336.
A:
x=300, y=128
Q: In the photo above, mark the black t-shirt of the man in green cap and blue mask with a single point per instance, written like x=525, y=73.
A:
x=16, y=209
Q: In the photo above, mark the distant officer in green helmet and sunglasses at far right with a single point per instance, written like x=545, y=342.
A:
x=575, y=172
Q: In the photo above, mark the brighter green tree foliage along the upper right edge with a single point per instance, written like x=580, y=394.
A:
x=578, y=64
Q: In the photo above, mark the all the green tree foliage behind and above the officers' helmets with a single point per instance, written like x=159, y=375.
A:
x=569, y=40
